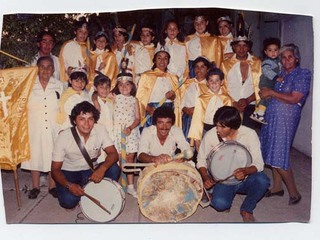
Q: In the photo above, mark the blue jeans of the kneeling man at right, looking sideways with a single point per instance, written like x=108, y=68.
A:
x=254, y=186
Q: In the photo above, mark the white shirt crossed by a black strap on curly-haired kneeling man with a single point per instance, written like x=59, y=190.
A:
x=67, y=151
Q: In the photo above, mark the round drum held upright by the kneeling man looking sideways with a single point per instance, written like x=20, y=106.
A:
x=225, y=158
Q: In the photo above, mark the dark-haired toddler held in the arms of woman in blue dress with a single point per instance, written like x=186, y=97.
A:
x=270, y=70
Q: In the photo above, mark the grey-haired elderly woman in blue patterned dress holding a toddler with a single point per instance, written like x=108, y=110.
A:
x=283, y=115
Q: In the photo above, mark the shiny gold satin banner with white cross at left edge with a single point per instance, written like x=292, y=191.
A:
x=15, y=87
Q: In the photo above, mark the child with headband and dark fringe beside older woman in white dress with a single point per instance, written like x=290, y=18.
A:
x=73, y=95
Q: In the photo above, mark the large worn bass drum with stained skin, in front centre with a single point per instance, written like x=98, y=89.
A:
x=169, y=192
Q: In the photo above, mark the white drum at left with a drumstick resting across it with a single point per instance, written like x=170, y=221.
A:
x=111, y=196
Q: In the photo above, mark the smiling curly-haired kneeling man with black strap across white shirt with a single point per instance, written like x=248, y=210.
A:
x=70, y=169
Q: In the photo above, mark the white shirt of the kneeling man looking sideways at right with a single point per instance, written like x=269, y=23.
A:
x=246, y=136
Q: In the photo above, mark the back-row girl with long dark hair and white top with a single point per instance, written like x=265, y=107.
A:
x=172, y=41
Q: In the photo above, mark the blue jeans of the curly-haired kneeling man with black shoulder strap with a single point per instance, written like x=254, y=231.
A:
x=66, y=198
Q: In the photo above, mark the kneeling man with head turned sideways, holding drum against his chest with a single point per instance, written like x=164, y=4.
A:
x=222, y=148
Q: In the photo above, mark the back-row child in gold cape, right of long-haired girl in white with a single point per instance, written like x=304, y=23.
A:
x=202, y=43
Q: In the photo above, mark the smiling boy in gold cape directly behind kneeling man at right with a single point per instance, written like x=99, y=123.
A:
x=206, y=106
